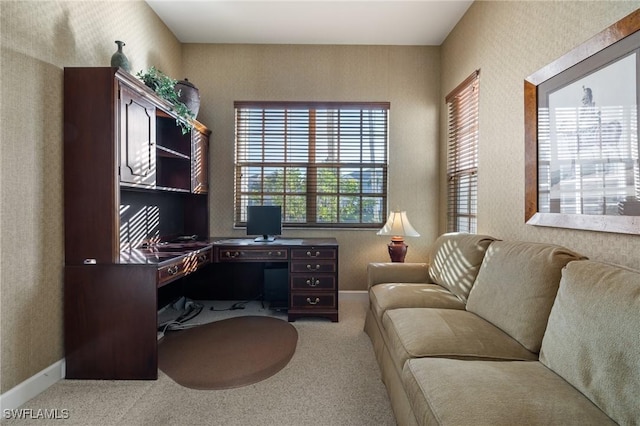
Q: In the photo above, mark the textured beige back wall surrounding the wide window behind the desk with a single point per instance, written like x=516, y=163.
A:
x=408, y=77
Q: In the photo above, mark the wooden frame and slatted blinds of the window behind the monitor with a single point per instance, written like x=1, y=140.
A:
x=312, y=192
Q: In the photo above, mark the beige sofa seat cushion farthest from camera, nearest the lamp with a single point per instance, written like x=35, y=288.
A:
x=410, y=295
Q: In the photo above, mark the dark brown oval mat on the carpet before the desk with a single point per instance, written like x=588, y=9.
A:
x=227, y=353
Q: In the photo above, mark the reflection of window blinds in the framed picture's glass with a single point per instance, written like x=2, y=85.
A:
x=593, y=166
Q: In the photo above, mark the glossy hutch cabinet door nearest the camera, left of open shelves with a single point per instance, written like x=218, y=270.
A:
x=137, y=139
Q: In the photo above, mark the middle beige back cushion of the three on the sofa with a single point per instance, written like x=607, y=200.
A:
x=516, y=286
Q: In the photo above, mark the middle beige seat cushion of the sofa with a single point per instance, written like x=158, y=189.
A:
x=453, y=333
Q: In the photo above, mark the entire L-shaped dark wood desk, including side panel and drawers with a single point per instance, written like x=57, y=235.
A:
x=111, y=309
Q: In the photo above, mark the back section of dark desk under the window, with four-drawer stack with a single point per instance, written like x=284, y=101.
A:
x=312, y=270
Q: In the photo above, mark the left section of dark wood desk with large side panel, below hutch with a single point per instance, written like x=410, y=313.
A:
x=110, y=311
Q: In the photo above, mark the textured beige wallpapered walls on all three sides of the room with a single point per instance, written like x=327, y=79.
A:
x=507, y=40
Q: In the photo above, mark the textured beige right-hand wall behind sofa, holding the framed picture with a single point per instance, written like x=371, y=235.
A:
x=509, y=41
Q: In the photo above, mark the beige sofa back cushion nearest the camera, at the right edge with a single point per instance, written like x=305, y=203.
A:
x=593, y=336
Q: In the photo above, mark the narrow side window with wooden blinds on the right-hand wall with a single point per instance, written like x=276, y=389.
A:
x=462, y=159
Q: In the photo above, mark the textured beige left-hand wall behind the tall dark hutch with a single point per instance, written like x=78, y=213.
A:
x=38, y=40
